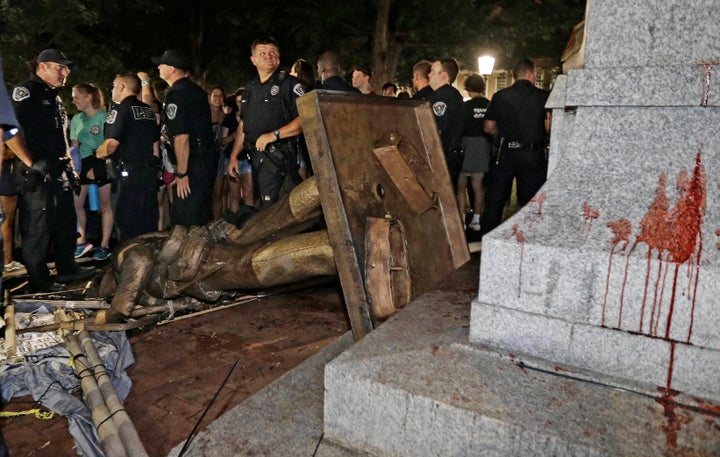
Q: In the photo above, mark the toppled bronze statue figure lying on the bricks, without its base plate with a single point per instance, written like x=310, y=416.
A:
x=269, y=249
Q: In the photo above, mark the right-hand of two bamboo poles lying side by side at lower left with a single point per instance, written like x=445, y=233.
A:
x=128, y=434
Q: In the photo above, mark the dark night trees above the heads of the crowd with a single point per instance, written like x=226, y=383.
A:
x=109, y=37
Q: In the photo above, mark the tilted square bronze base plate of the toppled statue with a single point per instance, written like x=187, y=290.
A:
x=380, y=157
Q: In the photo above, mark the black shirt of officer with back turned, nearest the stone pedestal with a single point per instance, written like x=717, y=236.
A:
x=519, y=111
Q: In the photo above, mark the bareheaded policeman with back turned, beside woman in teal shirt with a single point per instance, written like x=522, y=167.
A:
x=132, y=135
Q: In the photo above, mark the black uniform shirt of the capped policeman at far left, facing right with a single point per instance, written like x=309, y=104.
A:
x=42, y=118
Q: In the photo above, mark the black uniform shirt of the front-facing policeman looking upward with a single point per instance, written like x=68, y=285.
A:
x=267, y=106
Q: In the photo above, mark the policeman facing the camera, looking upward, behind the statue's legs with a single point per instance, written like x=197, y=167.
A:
x=270, y=125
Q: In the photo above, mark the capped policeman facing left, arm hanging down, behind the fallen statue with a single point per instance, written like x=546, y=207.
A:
x=186, y=115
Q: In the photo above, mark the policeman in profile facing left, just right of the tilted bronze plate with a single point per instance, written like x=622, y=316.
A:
x=447, y=106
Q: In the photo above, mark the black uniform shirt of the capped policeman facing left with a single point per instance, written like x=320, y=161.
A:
x=187, y=111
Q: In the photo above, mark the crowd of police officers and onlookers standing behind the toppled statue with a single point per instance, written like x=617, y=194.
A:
x=146, y=164
